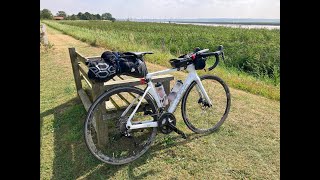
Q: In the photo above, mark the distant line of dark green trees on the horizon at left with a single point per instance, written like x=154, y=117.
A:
x=46, y=14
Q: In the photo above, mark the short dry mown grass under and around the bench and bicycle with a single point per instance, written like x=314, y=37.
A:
x=247, y=146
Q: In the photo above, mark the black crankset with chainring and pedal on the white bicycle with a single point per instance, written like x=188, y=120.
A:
x=167, y=124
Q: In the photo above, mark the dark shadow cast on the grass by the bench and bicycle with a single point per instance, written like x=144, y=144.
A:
x=72, y=159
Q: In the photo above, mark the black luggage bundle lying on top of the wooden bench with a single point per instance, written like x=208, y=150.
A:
x=116, y=63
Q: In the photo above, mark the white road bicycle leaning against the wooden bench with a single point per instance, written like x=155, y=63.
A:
x=205, y=106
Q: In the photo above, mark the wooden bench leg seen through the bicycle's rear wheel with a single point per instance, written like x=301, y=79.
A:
x=102, y=128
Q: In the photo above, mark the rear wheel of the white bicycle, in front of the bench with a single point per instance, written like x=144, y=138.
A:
x=117, y=145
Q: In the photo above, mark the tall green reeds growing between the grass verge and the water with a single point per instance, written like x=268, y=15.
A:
x=254, y=51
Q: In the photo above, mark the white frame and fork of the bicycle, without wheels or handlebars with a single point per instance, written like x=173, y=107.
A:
x=192, y=76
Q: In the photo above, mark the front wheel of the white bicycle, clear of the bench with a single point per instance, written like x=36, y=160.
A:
x=197, y=114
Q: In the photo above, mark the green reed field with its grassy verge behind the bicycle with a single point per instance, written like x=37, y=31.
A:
x=252, y=55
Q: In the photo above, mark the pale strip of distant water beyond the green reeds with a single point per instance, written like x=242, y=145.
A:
x=228, y=22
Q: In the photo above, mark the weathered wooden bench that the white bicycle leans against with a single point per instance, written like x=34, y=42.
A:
x=97, y=88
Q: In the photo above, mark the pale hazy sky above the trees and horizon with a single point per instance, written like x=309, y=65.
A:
x=269, y=9
